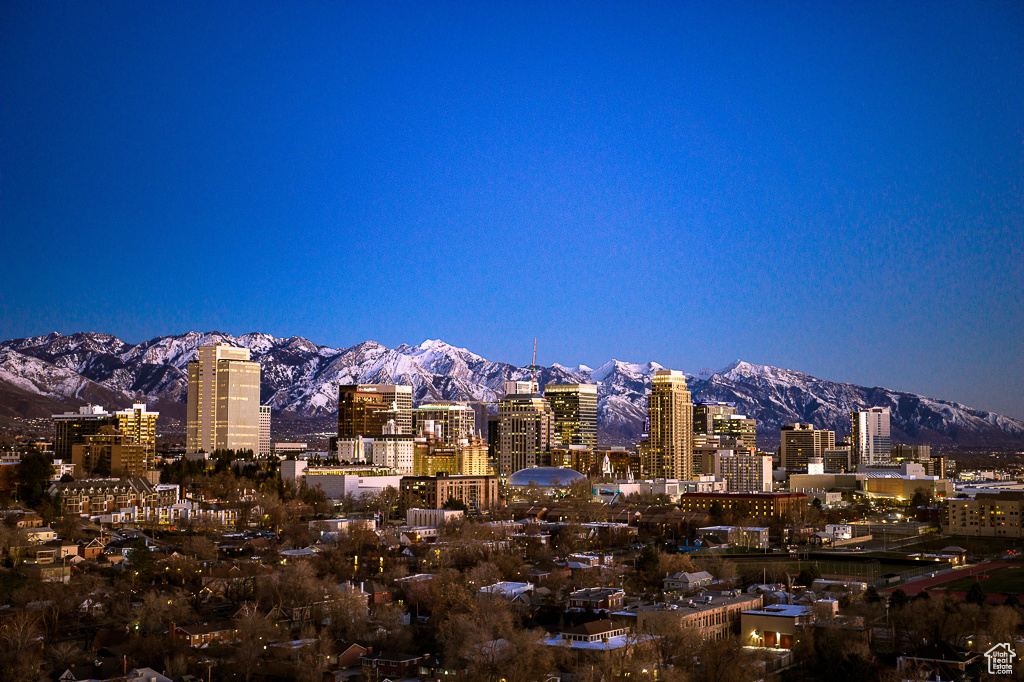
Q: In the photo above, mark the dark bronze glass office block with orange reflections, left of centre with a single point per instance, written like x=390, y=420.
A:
x=365, y=409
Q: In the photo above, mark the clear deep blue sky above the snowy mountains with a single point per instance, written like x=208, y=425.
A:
x=832, y=188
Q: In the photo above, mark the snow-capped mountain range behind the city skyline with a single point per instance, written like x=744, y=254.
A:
x=301, y=379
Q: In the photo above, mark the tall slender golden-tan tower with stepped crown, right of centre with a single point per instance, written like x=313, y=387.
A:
x=670, y=443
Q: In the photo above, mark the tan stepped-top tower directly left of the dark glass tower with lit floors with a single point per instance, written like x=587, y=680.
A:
x=526, y=432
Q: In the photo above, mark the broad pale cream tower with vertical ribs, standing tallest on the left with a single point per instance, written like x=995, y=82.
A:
x=224, y=401
